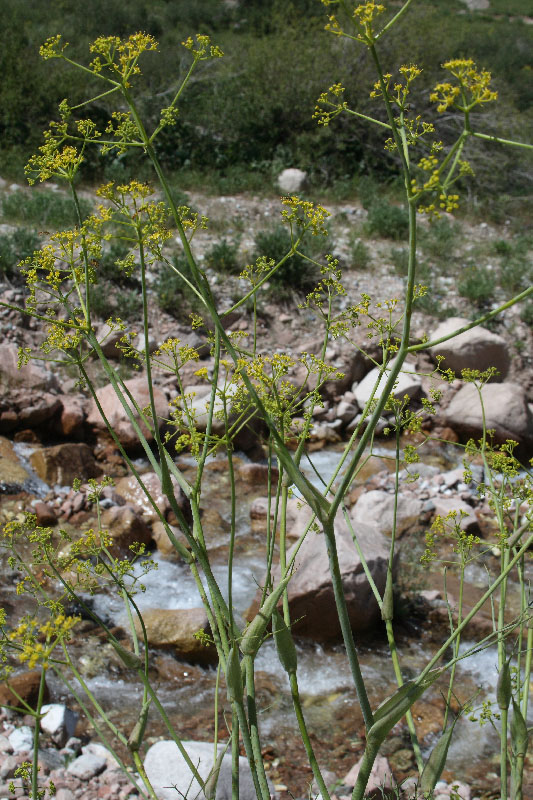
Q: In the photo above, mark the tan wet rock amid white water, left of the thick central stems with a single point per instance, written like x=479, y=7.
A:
x=176, y=628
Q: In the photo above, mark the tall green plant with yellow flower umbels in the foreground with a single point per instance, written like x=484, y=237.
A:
x=246, y=385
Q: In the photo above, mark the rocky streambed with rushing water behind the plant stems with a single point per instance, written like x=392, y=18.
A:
x=51, y=434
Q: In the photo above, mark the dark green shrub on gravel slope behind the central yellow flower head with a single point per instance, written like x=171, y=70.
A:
x=297, y=274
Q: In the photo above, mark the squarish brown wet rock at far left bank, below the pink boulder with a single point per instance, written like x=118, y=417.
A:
x=64, y=462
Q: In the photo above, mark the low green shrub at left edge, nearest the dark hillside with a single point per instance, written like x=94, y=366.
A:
x=44, y=208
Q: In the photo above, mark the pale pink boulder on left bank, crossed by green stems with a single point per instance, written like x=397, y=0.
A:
x=116, y=415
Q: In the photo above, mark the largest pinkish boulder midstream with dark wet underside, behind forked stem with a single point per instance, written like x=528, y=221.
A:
x=310, y=590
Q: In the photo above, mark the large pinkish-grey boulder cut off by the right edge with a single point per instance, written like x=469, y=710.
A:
x=506, y=412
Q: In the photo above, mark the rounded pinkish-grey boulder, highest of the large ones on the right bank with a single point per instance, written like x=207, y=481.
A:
x=477, y=348
